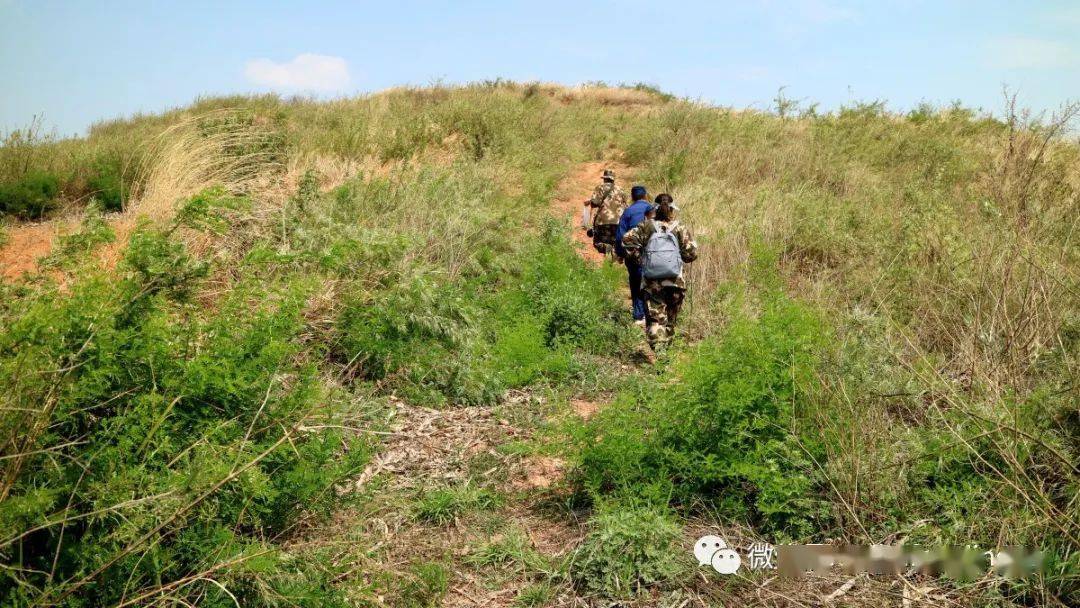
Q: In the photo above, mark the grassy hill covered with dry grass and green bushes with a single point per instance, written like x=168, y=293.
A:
x=285, y=353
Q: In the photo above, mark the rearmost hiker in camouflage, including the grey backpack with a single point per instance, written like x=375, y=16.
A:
x=661, y=246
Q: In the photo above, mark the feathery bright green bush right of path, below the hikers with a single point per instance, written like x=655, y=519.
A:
x=723, y=433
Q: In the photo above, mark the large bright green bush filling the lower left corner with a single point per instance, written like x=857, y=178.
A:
x=186, y=435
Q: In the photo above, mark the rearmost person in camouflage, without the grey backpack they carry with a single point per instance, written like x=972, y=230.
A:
x=664, y=299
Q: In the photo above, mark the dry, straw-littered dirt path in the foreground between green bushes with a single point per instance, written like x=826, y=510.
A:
x=430, y=454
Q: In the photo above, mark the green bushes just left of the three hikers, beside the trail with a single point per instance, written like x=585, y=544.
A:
x=525, y=331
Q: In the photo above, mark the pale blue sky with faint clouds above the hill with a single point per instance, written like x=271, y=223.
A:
x=78, y=62
